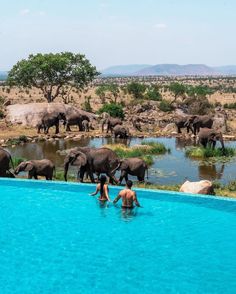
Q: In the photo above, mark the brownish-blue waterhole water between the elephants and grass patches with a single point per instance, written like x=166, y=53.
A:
x=171, y=168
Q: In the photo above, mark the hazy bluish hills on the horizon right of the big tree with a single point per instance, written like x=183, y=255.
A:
x=169, y=70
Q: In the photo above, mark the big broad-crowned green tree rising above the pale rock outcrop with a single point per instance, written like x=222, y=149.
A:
x=54, y=74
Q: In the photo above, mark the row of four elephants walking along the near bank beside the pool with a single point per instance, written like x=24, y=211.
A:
x=88, y=160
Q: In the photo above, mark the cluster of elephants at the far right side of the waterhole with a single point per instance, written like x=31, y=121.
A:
x=201, y=125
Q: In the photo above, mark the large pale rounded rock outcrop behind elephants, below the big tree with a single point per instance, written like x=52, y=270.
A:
x=32, y=113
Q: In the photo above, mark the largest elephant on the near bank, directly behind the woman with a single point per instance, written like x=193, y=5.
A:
x=92, y=160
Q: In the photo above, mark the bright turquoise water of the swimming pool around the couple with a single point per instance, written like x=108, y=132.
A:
x=54, y=238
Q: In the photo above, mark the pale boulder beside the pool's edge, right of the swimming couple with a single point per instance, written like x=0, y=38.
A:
x=201, y=187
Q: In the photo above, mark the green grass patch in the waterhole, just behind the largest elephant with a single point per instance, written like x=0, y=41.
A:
x=145, y=151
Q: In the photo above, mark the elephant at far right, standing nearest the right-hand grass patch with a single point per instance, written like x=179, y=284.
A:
x=209, y=137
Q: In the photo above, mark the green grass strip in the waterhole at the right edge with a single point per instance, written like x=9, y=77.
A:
x=200, y=152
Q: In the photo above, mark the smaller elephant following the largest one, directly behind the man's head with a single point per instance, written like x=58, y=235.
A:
x=132, y=166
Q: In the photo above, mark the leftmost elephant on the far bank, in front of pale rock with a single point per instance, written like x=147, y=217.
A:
x=50, y=120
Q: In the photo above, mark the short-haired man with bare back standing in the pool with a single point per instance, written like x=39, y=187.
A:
x=128, y=196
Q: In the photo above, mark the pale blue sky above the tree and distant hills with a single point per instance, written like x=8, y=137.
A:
x=112, y=32
